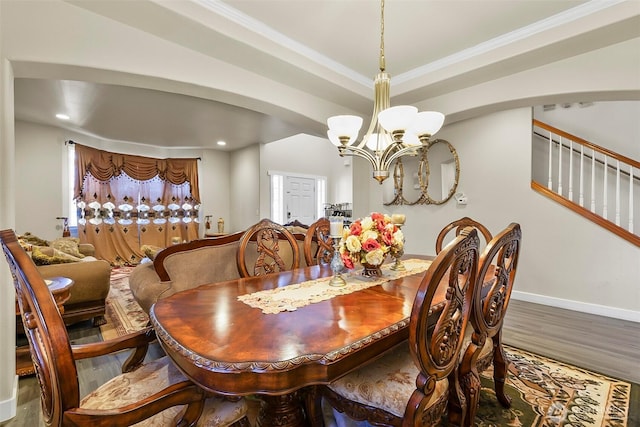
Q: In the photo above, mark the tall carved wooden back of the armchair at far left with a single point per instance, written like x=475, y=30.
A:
x=48, y=340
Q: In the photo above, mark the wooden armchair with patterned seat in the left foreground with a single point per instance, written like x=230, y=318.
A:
x=149, y=394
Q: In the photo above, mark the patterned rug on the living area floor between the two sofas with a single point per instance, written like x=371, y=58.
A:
x=123, y=314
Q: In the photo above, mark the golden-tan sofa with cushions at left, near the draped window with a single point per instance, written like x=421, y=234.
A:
x=66, y=257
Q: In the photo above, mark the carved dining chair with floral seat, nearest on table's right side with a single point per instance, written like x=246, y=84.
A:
x=412, y=384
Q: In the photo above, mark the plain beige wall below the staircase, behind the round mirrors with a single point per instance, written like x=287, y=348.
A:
x=566, y=261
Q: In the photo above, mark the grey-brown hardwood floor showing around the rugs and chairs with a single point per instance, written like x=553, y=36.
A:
x=605, y=345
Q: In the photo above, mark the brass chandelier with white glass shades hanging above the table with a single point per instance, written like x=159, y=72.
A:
x=393, y=132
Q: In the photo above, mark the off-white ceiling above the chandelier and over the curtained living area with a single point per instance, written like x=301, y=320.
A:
x=327, y=48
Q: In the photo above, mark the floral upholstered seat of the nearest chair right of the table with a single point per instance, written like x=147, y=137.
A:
x=388, y=383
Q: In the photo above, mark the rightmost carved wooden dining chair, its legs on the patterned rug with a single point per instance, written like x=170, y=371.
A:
x=496, y=276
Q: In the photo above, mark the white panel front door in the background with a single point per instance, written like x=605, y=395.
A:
x=300, y=199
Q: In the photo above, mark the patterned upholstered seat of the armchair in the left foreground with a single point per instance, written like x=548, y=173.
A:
x=159, y=374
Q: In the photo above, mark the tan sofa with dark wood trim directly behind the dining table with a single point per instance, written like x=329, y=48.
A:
x=189, y=265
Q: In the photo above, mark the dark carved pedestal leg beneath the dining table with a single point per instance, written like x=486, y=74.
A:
x=281, y=411
